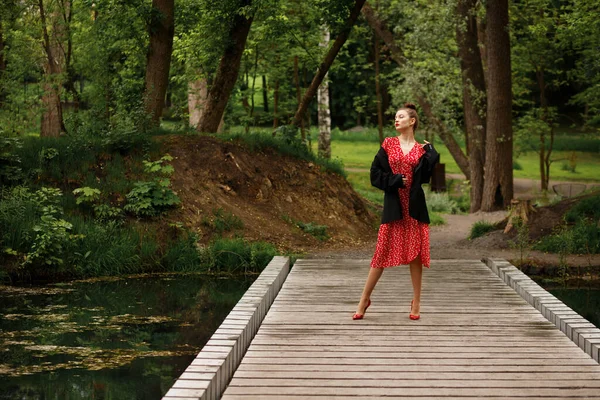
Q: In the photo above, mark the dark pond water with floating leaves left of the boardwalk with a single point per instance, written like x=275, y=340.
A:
x=127, y=338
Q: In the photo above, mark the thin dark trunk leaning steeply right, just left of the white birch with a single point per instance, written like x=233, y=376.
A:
x=324, y=67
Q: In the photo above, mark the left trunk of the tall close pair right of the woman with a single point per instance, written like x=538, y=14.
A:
x=473, y=96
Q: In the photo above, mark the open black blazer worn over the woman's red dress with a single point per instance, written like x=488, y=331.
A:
x=383, y=178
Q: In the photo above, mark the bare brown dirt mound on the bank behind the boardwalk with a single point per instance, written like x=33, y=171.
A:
x=268, y=191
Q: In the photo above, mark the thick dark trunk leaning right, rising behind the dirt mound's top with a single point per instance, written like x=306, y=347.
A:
x=227, y=73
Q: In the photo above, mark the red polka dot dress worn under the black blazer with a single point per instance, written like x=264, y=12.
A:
x=400, y=242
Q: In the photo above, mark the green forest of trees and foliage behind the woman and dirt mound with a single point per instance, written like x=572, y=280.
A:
x=495, y=82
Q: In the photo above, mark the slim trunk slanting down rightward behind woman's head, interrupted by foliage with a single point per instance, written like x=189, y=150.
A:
x=386, y=35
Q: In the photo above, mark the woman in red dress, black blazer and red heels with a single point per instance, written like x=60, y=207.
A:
x=399, y=169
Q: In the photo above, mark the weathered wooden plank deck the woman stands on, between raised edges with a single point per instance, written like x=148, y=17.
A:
x=477, y=338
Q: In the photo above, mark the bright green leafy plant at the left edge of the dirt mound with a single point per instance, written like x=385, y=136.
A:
x=152, y=198
